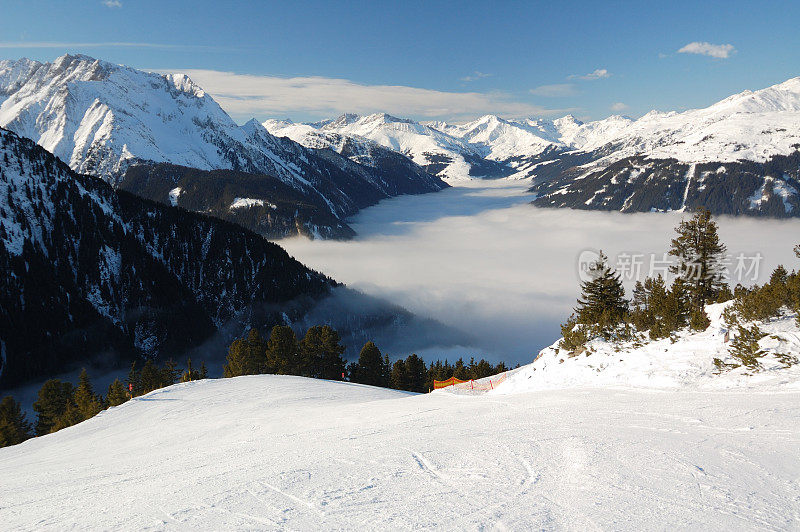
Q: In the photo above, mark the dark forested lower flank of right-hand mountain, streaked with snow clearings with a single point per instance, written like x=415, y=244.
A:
x=639, y=184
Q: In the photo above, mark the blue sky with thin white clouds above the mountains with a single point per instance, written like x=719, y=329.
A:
x=426, y=60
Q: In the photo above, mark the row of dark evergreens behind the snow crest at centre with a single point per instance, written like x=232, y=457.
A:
x=319, y=355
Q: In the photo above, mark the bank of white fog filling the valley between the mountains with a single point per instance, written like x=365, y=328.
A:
x=481, y=259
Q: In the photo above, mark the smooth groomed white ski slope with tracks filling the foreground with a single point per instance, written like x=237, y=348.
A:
x=280, y=452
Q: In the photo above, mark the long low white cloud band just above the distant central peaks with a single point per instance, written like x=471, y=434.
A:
x=244, y=96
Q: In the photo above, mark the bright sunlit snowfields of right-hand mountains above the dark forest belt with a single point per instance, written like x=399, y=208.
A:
x=751, y=125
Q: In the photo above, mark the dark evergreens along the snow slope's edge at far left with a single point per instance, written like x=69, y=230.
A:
x=61, y=404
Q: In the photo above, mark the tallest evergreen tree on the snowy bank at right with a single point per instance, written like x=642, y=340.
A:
x=700, y=254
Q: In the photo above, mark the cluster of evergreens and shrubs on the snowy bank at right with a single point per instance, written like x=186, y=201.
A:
x=657, y=310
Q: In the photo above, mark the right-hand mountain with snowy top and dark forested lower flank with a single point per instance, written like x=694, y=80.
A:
x=738, y=156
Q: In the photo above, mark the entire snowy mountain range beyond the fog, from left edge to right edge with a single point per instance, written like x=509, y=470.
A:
x=164, y=138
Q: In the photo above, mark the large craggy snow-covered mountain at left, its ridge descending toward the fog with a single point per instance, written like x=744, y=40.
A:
x=104, y=119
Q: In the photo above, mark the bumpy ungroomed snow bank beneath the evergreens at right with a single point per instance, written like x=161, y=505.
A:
x=686, y=363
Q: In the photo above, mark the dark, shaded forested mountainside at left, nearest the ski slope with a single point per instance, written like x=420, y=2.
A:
x=94, y=272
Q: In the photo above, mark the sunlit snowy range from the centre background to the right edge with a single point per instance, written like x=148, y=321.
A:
x=737, y=156
